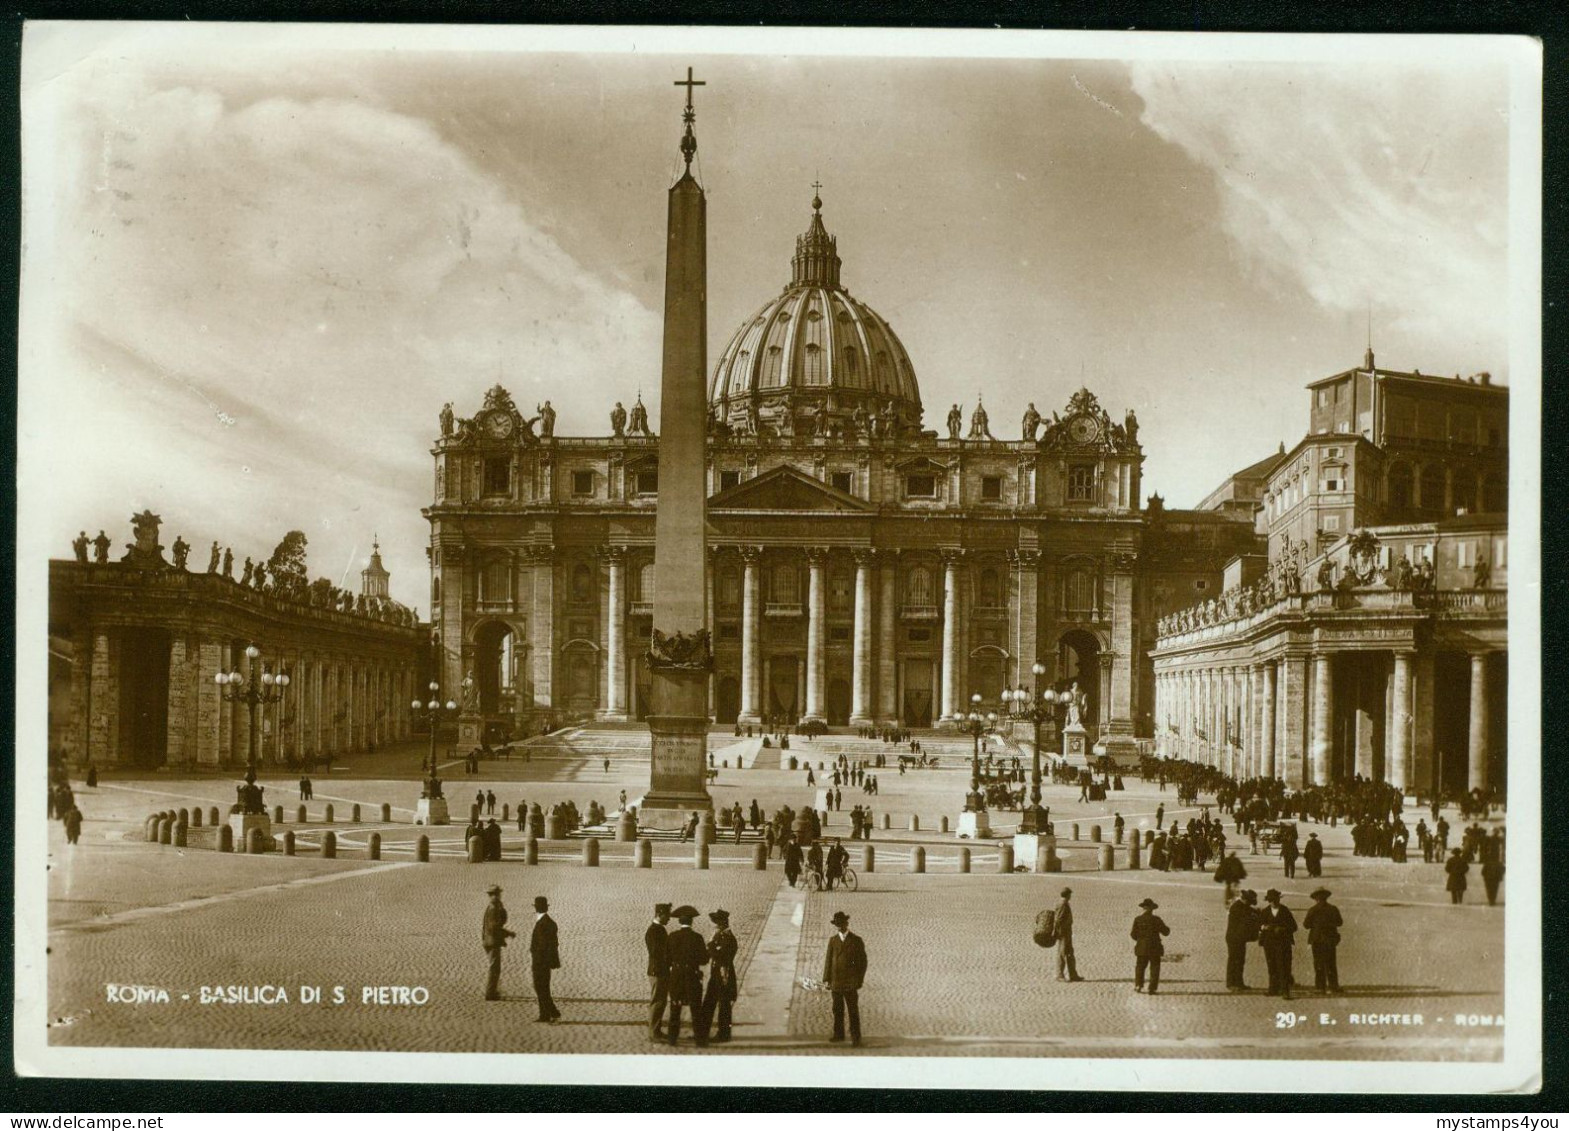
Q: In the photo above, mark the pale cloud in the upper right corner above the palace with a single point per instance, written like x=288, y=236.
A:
x=1355, y=184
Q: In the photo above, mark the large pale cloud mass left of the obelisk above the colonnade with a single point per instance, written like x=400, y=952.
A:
x=266, y=305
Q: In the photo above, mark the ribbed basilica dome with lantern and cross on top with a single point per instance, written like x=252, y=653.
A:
x=815, y=354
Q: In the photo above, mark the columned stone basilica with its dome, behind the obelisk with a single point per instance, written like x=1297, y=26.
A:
x=862, y=567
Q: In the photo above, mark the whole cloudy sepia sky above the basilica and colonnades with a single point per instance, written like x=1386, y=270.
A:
x=258, y=261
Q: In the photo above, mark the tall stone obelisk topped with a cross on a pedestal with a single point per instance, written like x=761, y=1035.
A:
x=680, y=653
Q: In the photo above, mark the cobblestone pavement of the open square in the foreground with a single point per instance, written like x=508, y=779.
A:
x=953, y=967
